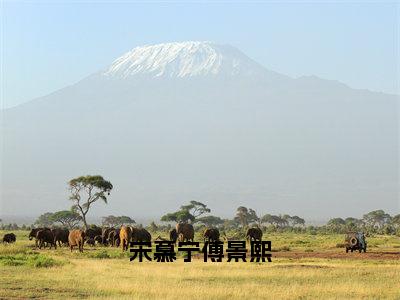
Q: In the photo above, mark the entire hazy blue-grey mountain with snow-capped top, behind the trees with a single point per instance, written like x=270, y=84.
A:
x=196, y=120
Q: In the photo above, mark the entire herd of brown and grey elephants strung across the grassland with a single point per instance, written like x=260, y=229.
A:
x=116, y=237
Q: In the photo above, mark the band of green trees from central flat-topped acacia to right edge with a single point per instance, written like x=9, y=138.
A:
x=374, y=222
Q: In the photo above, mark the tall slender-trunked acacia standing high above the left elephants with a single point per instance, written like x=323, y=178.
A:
x=86, y=190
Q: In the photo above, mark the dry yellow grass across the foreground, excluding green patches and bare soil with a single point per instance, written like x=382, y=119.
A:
x=81, y=276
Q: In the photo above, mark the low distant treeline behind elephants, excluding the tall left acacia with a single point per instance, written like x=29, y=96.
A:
x=197, y=213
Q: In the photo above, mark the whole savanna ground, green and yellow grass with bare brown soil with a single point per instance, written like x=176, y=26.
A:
x=303, y=267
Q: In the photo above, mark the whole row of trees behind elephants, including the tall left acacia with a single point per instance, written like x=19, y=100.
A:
x=85, y=191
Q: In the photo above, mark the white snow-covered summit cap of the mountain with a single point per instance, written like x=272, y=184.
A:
x=183, y=59
